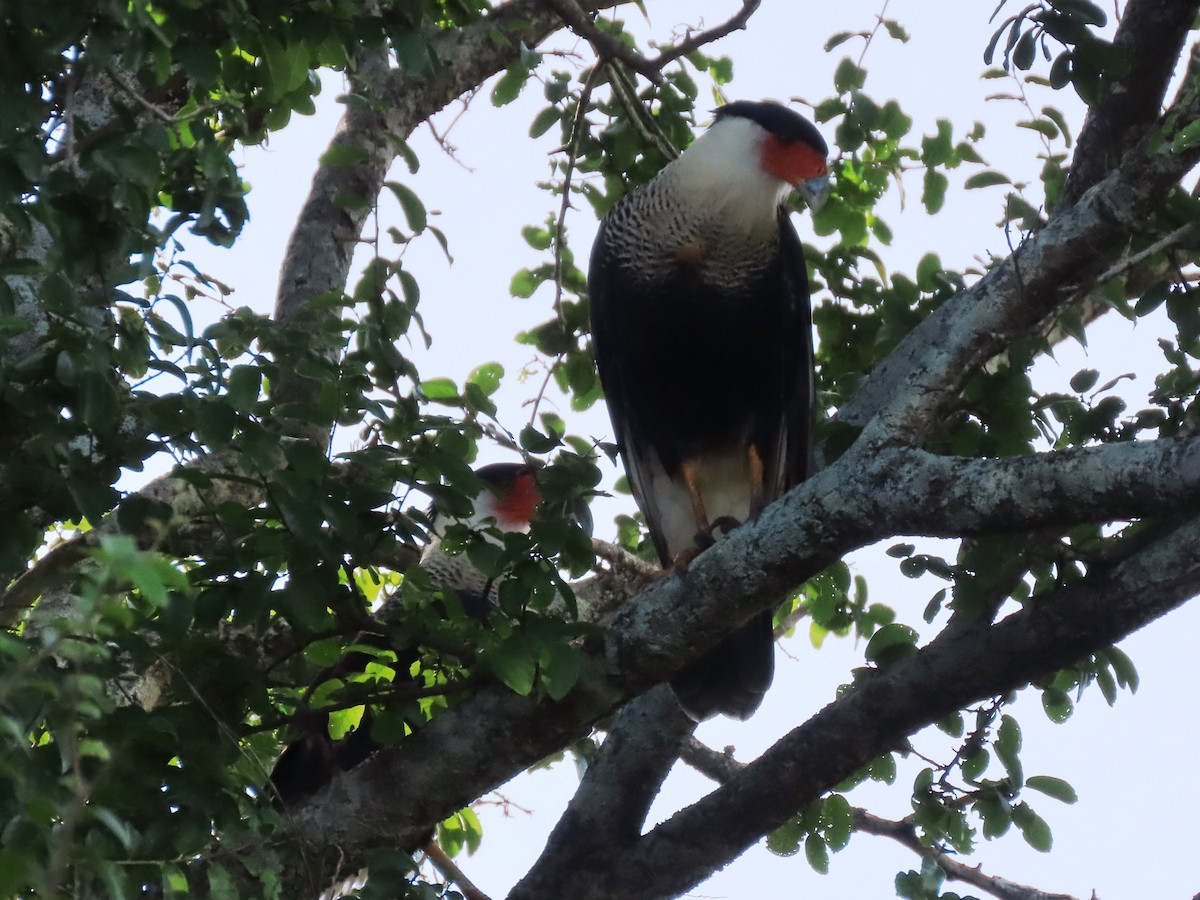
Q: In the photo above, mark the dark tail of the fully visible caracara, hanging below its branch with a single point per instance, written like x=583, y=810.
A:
x=733, y=677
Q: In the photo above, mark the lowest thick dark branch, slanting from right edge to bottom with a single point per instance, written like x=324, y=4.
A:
x=945, y=676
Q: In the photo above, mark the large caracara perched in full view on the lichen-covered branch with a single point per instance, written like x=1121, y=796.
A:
x=703, y=335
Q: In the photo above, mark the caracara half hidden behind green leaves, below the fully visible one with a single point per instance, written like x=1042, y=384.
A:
x=508, y=501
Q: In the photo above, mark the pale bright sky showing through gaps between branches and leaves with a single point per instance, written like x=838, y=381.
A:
x=1132, y=835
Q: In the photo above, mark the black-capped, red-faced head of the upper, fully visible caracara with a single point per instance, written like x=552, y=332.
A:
x=789, y=147
